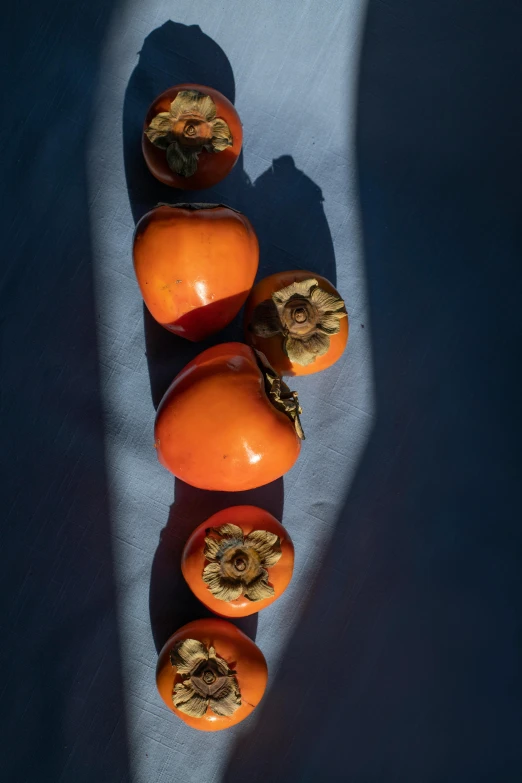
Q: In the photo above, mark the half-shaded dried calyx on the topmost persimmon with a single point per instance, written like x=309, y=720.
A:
x=189, y=127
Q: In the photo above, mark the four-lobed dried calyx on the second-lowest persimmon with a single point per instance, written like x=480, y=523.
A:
x=237, y=563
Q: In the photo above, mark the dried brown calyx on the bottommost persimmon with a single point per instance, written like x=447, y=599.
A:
x=207, y=681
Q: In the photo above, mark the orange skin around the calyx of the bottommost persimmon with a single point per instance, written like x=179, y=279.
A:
x=241, y=654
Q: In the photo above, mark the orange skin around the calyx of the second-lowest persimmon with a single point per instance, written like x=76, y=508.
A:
x=248, y=518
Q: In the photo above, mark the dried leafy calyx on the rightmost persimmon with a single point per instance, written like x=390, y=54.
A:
x=305, y=315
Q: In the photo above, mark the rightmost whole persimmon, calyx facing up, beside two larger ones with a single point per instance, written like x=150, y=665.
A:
x=298, y=320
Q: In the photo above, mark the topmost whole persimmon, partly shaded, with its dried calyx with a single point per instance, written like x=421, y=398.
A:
x=192, y=137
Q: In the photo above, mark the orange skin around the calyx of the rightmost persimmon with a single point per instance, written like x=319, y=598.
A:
x=272, y=347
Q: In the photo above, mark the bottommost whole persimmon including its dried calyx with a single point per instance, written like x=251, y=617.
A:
x=211, y=675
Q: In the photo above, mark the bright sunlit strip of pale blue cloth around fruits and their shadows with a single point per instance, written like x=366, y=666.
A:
x=288, y=55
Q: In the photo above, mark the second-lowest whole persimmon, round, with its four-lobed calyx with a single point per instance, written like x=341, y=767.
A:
x=239, y=561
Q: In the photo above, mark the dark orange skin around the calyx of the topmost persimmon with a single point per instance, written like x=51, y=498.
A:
x=212, y=167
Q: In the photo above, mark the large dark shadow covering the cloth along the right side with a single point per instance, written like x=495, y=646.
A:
x=404, y=664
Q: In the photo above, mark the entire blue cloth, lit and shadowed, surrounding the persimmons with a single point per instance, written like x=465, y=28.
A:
x=382, y=149
